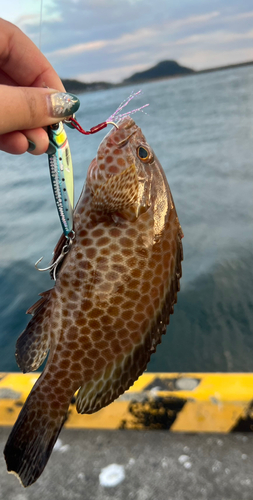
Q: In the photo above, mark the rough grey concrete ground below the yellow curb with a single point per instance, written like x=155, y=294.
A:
x=156, y=465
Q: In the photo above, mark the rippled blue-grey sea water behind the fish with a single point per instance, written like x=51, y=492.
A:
x=201, y=128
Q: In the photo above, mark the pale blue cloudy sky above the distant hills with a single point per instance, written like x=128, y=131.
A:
x=109, y=40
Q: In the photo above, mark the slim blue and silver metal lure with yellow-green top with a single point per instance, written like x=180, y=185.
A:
x=61, y=173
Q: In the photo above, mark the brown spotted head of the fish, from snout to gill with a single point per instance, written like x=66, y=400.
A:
x=120, y=176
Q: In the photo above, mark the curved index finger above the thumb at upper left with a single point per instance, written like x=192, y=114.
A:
x=23, y=62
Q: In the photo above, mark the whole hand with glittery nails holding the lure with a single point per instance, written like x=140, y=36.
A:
x=26, y=104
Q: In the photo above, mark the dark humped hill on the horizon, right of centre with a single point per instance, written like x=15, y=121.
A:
x=163, y=69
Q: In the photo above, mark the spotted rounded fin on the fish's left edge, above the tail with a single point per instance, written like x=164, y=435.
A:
x=33, y=344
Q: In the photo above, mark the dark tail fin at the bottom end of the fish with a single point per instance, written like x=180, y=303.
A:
x=33, y=436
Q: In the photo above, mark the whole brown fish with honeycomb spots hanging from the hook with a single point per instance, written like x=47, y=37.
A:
x=114, y=292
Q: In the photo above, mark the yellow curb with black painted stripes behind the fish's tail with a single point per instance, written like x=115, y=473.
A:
x=191, y=402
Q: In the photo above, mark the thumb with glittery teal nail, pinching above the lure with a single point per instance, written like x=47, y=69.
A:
x=32, y=107
